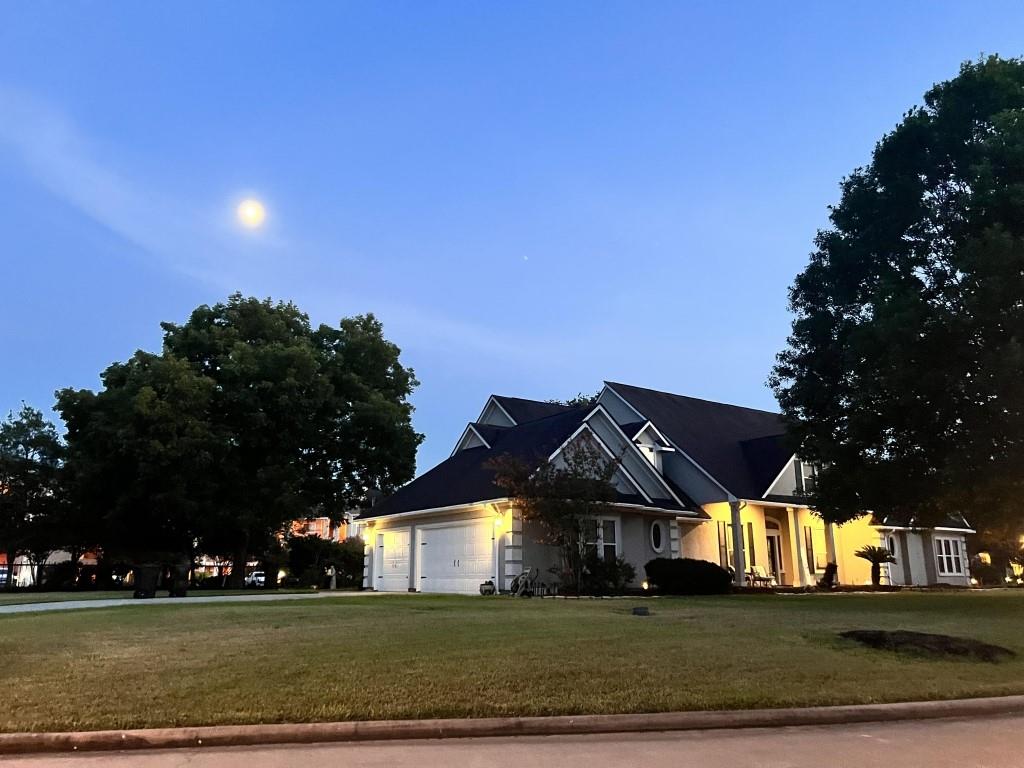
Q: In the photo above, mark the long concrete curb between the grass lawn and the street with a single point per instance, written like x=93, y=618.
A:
x=390, y=731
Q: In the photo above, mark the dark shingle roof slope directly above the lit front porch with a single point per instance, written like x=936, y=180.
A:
x=742, y=448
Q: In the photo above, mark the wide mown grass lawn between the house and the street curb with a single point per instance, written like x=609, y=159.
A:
x=410, y=657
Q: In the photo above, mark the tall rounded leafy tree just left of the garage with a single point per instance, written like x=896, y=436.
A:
x=311, y=420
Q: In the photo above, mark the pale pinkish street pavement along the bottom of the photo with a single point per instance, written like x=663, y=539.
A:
x=935, y=744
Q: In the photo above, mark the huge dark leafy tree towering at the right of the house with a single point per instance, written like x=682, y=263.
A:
x=903, y=375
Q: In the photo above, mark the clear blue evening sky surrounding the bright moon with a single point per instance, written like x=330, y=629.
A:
x=534, y=197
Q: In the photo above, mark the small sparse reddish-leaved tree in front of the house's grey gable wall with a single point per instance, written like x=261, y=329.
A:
x=563, y=497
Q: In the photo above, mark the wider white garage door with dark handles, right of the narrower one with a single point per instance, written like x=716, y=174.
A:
x=457, y=559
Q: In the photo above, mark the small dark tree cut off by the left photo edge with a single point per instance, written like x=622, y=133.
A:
x=31, y=490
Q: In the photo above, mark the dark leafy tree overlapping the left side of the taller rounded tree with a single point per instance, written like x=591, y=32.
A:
x=142, y=456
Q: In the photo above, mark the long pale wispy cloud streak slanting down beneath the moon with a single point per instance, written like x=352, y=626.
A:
x=185, y=238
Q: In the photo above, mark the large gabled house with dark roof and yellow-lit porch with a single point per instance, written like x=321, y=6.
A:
x=696, y=479
